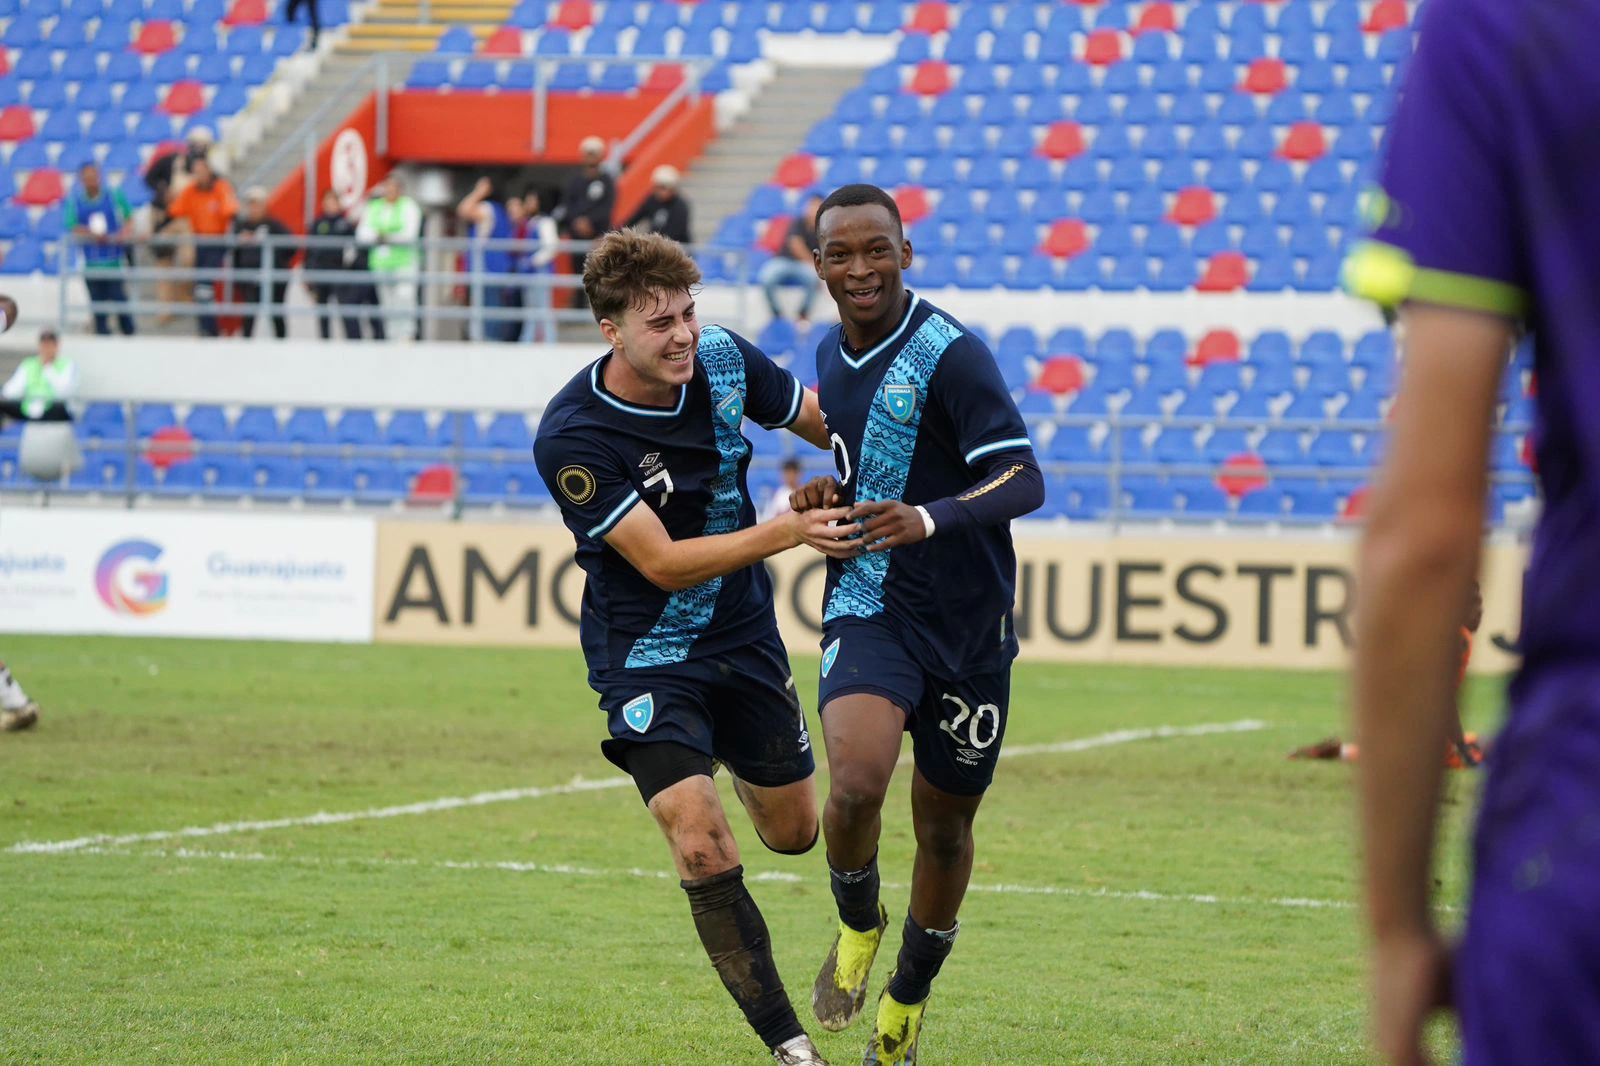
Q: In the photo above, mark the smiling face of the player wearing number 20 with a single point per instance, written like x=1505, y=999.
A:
x=862, y=257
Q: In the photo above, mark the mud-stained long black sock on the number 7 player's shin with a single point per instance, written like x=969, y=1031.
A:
x=735, y=937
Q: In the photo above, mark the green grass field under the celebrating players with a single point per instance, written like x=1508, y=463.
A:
x=1166, y=902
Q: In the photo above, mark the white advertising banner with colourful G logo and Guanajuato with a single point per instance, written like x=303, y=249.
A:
x=186, y=574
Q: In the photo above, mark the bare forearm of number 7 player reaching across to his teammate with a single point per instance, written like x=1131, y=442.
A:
x=646, y=543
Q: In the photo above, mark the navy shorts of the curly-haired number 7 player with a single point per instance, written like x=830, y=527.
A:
x=740, y=707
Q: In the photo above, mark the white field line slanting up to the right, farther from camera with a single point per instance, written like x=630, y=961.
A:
x=505, y=796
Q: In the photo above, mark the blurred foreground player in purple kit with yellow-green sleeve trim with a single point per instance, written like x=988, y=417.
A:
x=1489, y=223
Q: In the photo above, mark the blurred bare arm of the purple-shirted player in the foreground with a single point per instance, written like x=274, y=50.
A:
x=1415, y=574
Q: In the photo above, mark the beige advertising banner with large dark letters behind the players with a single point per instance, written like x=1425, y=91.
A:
x=1204, y=601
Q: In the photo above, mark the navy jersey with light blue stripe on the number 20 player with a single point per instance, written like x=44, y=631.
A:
x=911, y=419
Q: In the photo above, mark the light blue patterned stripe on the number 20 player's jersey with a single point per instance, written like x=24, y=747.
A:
x=887, y=446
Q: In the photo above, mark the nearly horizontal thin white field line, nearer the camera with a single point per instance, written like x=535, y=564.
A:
x=566, y=870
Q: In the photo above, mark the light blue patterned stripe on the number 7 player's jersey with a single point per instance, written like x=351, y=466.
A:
x=689, y=612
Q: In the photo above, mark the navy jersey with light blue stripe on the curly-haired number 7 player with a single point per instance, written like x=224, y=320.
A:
x=602, y=457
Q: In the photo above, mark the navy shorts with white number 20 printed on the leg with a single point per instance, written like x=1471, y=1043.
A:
x=958, y=726
